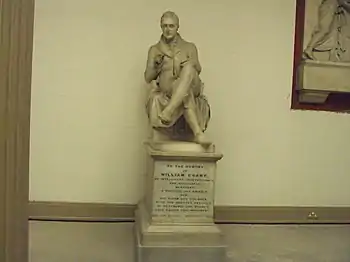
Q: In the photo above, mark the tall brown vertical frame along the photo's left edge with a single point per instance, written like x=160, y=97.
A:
x=16, y=45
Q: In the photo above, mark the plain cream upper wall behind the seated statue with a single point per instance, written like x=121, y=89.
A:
x=88, y=68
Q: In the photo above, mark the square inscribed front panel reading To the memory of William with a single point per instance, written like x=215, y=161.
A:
x=183, y=192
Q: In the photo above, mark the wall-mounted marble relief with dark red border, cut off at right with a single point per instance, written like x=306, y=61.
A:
x=322, y=55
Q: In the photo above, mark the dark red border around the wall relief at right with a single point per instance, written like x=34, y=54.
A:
x=335, y=102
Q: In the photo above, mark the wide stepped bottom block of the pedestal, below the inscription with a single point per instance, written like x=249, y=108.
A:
x=178, y=243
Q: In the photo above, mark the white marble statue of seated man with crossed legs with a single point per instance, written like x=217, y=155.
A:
x=176, y=106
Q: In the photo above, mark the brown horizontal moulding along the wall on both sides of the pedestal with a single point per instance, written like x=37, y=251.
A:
x=96, y=212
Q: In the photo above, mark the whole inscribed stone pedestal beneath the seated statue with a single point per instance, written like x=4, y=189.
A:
x=175, y=218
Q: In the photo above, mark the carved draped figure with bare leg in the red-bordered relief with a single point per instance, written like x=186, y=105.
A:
x=332, y=33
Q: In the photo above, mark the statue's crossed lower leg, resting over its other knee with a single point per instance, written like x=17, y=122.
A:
x=180, y=92
